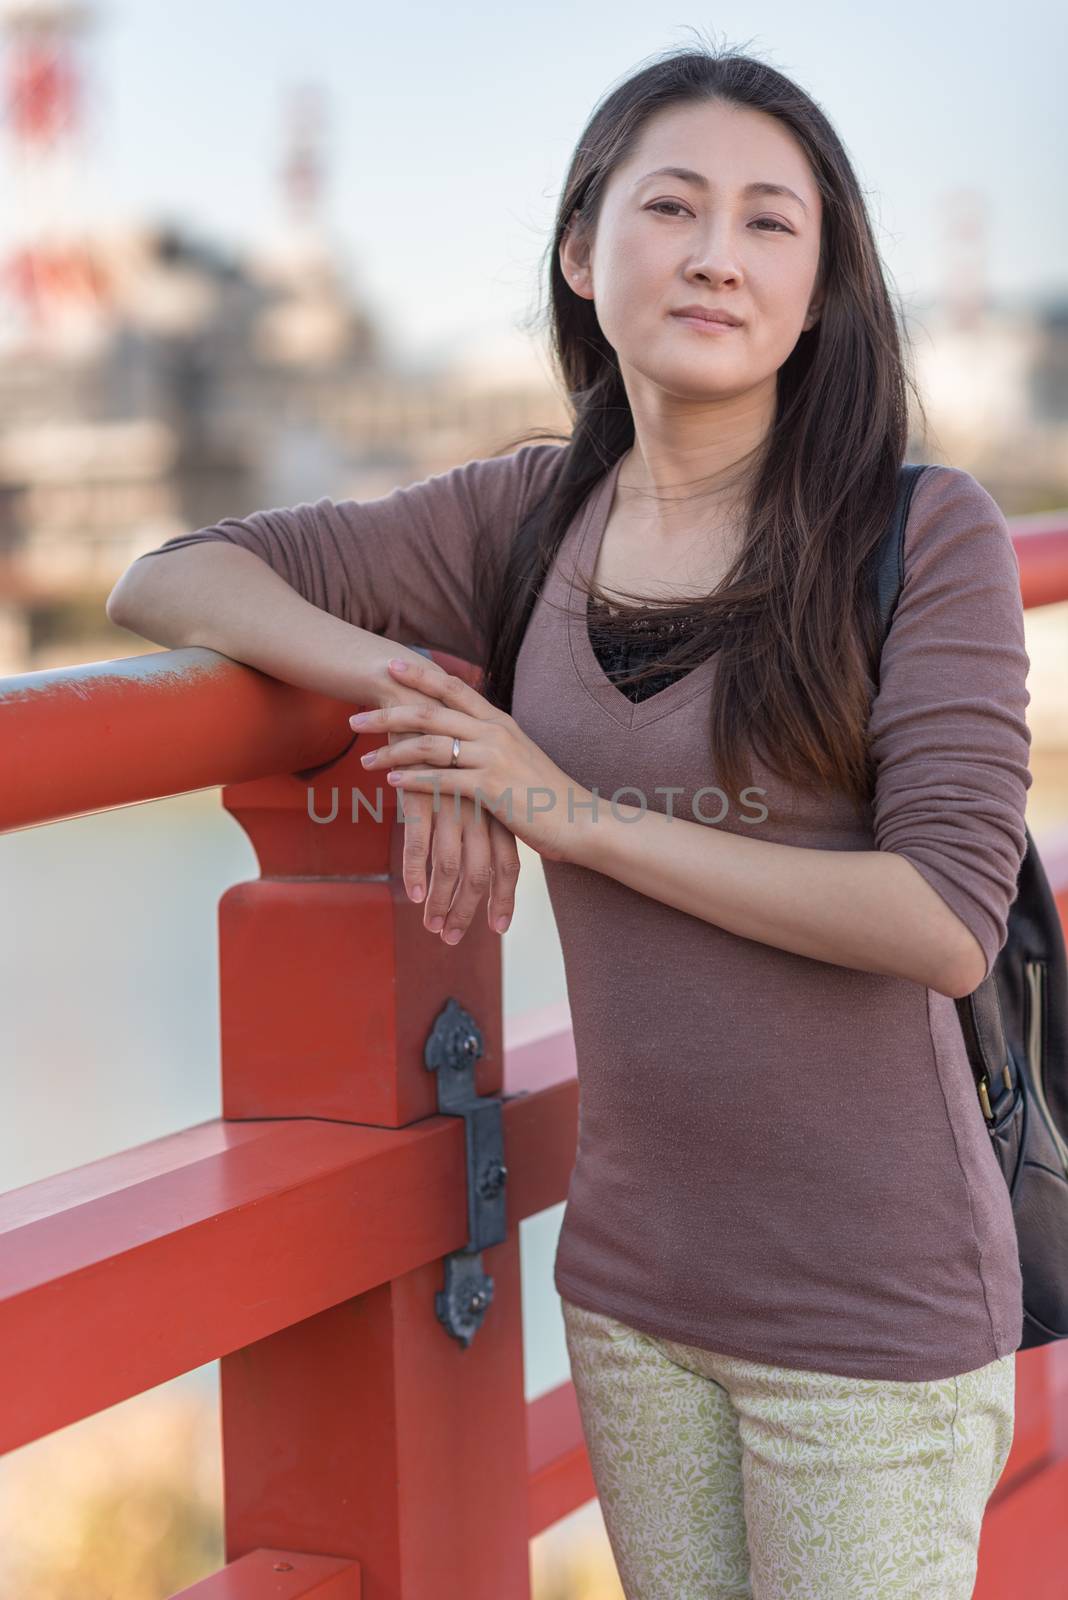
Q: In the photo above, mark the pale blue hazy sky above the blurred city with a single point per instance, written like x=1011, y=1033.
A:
x=450, y=132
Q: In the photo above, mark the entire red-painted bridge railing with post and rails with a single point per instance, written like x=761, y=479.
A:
x=303, y=1238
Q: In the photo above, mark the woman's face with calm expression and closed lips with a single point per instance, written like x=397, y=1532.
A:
x=664, y=242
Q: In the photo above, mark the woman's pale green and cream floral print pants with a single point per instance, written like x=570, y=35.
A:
x=727, y=1479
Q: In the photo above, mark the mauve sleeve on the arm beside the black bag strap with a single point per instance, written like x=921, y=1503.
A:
x=949, y=722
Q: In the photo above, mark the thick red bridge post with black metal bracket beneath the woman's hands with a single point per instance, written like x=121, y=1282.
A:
x=367, y=1431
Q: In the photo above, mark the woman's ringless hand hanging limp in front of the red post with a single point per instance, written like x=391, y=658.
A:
x=471, y=855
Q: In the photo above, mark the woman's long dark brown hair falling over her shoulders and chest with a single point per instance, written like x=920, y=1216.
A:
x=797, y=662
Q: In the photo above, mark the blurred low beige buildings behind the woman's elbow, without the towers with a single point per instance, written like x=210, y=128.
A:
x=218, y=388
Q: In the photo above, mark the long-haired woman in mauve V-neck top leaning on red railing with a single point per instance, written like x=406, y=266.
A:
x=787, y=1266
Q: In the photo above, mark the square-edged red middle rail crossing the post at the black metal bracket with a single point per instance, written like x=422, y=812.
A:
x=130, y=1271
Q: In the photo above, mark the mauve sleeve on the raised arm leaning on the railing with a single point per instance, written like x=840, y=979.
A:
x=402, y=566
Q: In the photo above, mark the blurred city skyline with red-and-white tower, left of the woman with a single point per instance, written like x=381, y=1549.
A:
x=151, y=383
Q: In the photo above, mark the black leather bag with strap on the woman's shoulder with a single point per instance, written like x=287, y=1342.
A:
x=1016, y=1031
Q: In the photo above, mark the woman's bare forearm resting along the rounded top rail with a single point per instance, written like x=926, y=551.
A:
x=228, y=599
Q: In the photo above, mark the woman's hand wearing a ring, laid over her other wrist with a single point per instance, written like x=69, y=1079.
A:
x=500, y=767
